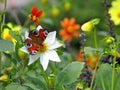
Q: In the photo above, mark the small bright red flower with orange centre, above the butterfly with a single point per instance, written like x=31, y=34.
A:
x=35, y=14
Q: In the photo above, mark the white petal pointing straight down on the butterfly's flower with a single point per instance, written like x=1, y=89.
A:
x=44, y=59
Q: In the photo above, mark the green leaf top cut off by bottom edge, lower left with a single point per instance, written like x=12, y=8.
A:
x=14, y=86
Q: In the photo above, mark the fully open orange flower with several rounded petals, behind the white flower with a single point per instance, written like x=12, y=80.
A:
x=69, y=29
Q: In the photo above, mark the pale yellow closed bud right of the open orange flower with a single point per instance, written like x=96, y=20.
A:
x=87, y=27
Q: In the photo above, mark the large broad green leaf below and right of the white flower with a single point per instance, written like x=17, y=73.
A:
x=69, y=74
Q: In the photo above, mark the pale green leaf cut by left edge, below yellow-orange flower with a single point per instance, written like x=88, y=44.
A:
x=6, y=45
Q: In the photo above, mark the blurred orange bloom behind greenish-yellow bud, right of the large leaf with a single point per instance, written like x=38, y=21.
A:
x=92, y=61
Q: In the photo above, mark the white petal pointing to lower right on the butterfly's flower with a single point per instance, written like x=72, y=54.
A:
x=53, y=56
